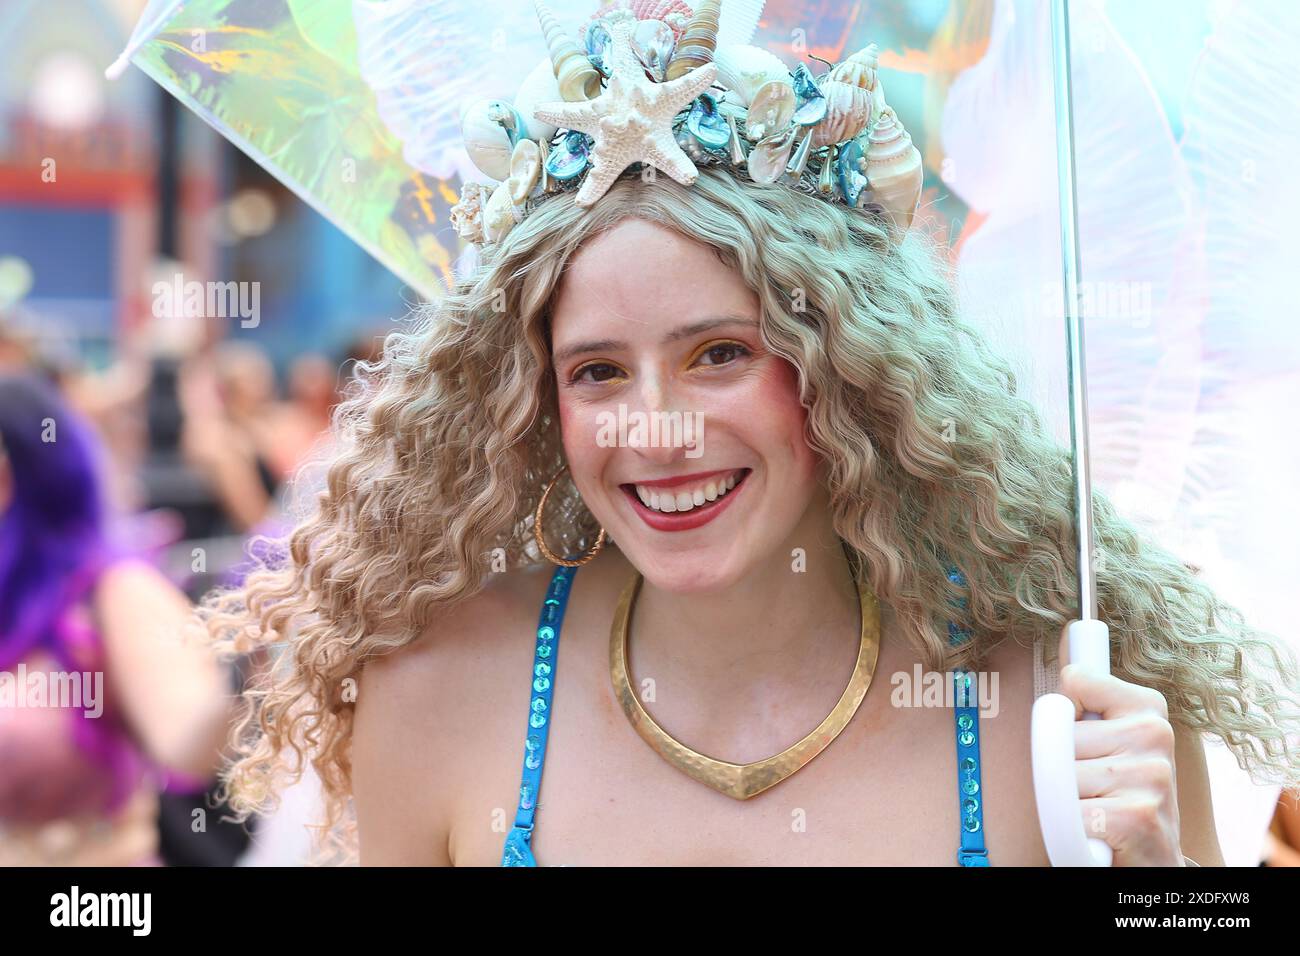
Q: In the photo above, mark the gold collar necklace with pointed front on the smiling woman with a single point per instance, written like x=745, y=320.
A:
x=743, y=781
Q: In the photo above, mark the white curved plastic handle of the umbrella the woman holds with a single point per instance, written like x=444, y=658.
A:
x=1056, y=785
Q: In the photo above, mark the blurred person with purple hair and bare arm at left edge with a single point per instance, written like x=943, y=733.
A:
x=101, y=694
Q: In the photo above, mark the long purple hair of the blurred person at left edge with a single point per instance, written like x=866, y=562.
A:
x=53, y=550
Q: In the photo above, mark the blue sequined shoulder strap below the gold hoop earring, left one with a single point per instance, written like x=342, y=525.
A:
x=518, y=851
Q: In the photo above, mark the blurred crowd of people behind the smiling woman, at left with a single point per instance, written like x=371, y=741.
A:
x=127, y=494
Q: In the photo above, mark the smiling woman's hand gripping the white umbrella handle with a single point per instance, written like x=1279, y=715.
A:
x=1125, y=763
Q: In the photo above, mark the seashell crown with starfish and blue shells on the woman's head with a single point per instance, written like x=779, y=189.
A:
x=648, y=84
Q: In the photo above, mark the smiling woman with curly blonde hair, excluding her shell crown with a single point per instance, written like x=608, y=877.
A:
x=833, y=529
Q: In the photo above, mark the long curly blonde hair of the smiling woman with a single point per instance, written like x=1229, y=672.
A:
x=447, y=444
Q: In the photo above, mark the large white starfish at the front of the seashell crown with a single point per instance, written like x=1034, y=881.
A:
x=631, y=120
